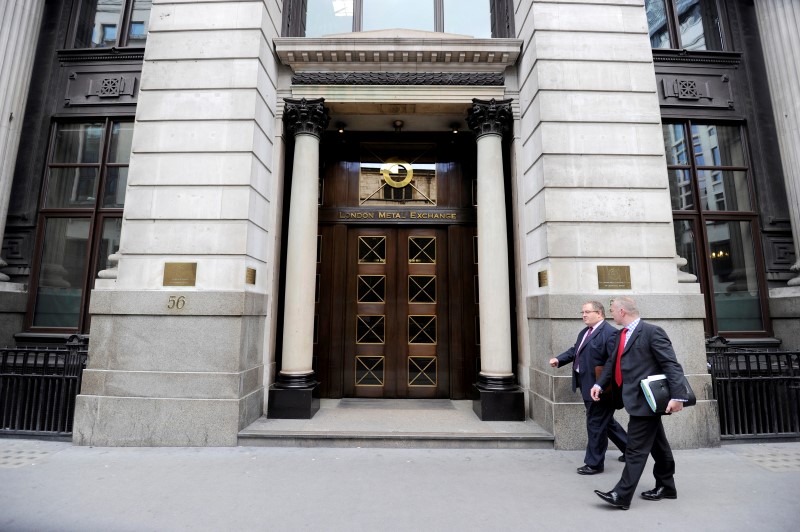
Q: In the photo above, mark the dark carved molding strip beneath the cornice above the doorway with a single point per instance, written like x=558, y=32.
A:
x=399, y=78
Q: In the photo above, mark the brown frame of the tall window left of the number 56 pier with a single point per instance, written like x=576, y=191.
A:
x=97, y=214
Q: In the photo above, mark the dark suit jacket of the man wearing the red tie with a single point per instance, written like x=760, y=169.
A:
x=648, y=352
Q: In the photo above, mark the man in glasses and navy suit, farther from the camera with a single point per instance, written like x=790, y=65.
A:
x=591, y=349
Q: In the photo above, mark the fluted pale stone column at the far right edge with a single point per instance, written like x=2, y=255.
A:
x=778, y=22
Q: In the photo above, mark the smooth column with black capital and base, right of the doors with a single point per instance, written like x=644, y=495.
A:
x=500, y=396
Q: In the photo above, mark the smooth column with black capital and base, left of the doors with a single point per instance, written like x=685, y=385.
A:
x=295, y=395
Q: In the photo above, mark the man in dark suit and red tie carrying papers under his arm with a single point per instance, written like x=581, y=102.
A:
x=641, y=350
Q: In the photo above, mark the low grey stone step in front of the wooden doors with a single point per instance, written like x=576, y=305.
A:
x=399, y=423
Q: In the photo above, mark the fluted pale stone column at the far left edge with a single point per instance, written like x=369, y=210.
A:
x=19, y=30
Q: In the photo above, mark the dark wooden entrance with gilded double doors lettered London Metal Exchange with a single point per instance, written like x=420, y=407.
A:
x=396, y=306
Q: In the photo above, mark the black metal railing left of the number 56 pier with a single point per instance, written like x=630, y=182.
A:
x=38, y=386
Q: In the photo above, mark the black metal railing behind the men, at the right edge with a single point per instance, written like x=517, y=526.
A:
x=757, y=391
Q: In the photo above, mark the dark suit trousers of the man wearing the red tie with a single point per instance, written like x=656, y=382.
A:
x=646, y=436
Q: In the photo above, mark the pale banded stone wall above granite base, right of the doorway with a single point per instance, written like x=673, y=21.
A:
x=590, y=152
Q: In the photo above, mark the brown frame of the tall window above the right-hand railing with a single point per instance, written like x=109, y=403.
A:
x=698, y=218
